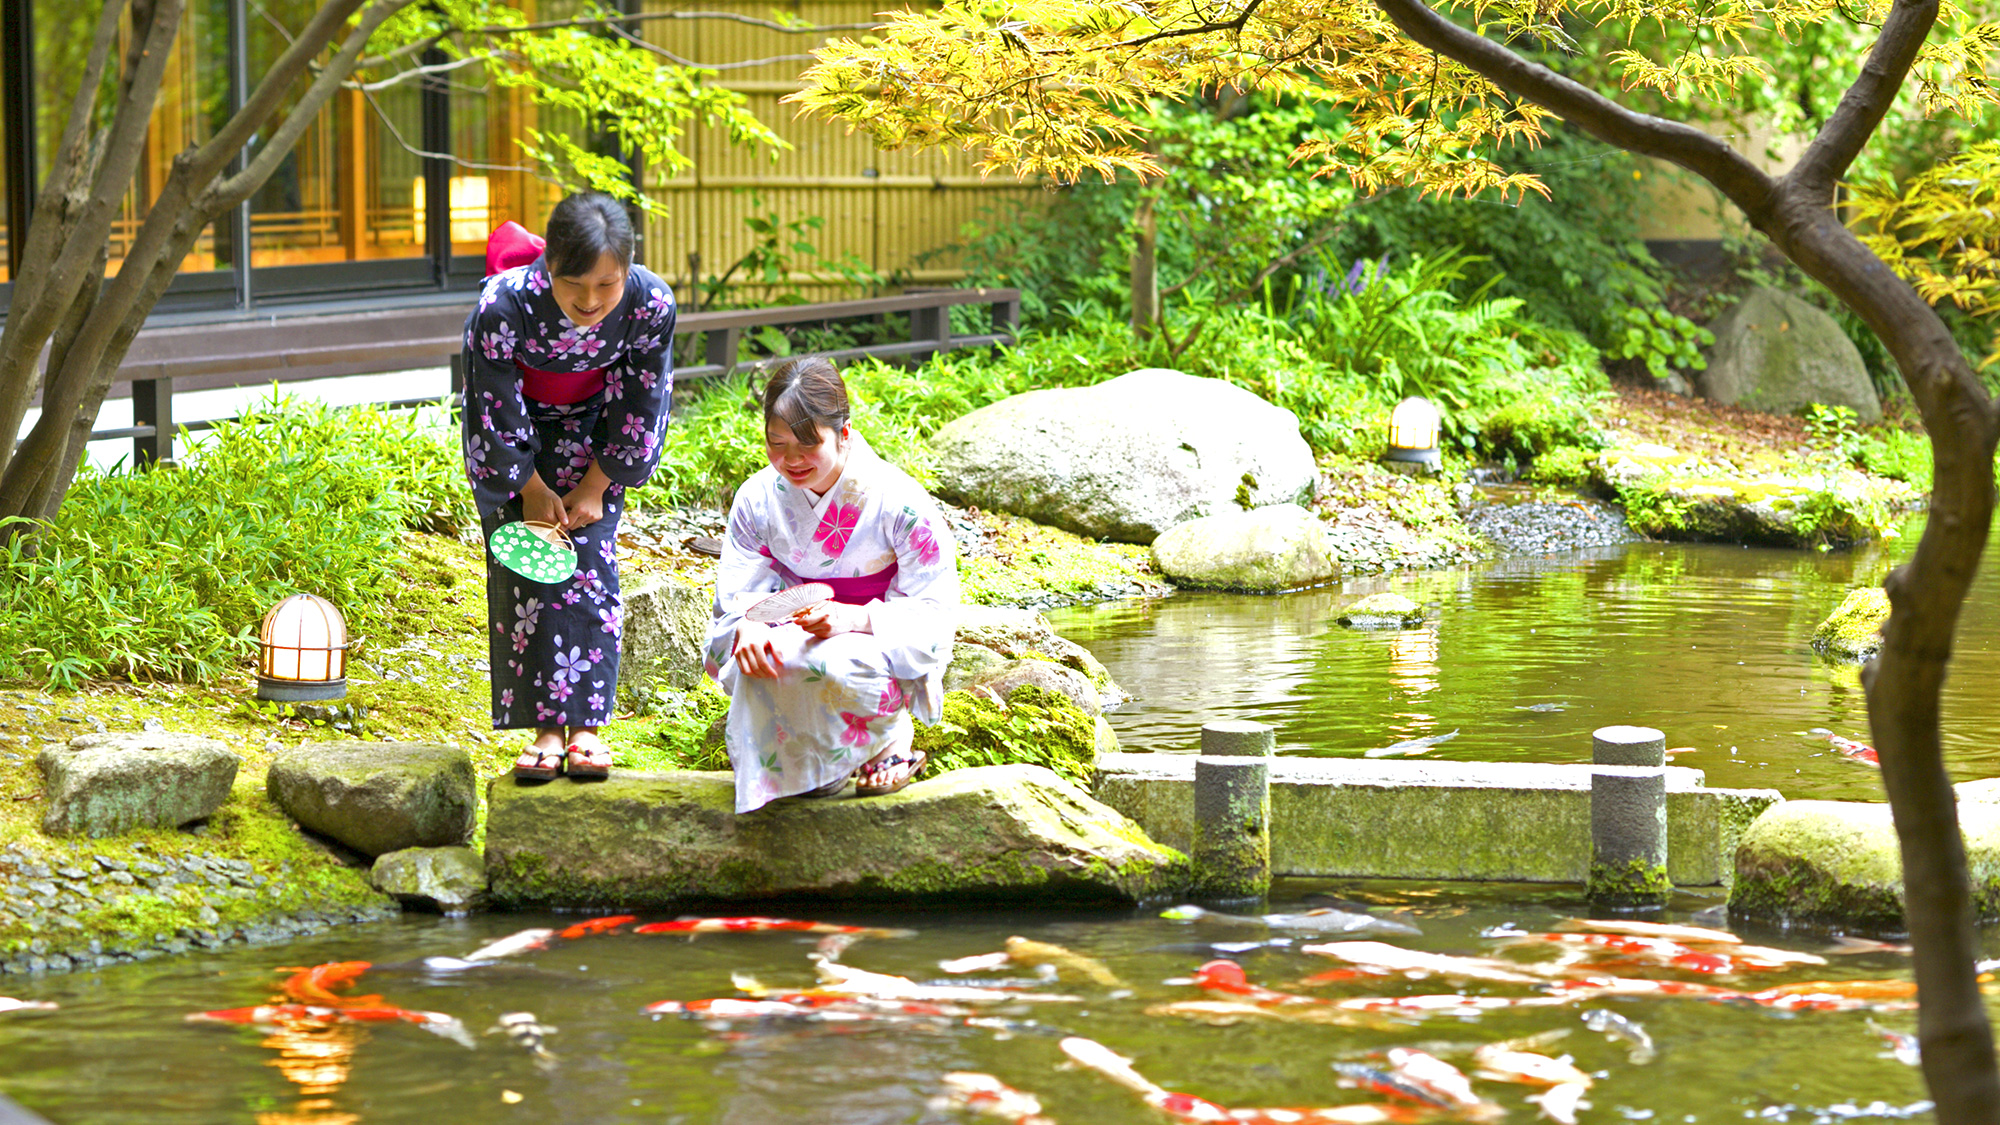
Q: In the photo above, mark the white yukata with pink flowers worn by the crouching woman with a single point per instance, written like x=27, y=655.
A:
x=845, y=700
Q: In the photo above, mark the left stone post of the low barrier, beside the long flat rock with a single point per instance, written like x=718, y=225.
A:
x=1231, y=846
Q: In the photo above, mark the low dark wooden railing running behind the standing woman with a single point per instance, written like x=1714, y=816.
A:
x=385, y=337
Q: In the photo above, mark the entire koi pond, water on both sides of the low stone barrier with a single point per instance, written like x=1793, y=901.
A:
x=1521, y=658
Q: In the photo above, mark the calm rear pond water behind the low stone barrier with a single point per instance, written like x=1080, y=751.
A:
x=1707, y=644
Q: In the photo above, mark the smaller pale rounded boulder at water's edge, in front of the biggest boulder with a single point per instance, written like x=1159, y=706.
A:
x=1281, y=547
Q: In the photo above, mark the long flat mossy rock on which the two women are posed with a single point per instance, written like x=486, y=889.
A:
x=661, y=840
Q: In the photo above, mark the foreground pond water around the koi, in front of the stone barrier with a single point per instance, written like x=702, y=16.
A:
x=119, y=1052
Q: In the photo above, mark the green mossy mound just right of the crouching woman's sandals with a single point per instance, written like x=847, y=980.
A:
x=1035, y=726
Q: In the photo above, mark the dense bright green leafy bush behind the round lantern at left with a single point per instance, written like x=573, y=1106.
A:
x=169, y=572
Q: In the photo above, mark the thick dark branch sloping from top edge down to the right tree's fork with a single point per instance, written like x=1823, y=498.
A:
x=1597, y=115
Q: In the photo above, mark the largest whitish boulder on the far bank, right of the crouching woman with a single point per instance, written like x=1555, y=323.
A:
x=1129, y=457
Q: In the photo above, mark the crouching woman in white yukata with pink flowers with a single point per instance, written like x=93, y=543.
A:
x=831, y=694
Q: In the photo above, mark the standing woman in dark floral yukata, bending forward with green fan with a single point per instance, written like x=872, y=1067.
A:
x=569, y=381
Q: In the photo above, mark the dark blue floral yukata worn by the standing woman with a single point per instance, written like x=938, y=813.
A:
x=555, y=646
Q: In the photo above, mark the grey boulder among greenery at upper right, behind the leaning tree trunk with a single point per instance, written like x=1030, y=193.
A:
x=1777, y=353
